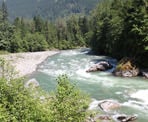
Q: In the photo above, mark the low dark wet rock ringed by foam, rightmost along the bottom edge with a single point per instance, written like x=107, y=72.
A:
x=125, y=118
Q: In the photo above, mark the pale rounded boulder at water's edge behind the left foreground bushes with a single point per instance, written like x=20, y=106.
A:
x=32, y=83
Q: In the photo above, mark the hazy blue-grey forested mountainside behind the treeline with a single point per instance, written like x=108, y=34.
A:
x=49, y=9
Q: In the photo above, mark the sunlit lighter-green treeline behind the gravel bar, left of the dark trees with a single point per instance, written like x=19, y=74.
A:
x=39, y=34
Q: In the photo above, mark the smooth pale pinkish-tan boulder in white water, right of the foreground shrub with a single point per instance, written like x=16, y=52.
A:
x=109, y=105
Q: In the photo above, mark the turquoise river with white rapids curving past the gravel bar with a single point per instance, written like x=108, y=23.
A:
x=132, y=93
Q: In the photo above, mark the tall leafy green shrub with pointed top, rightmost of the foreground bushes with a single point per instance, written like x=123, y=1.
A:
x=68, y=104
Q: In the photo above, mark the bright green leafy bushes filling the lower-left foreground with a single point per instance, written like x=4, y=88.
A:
x=21, y=104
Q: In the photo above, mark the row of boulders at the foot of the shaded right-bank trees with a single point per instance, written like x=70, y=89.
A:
x=125, y=68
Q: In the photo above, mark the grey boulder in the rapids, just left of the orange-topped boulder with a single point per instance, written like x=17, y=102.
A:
x=101, y=66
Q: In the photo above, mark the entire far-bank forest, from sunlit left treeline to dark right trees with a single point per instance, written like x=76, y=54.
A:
x=115, y=28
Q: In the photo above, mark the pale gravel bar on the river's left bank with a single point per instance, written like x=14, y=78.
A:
x=26, y=63
